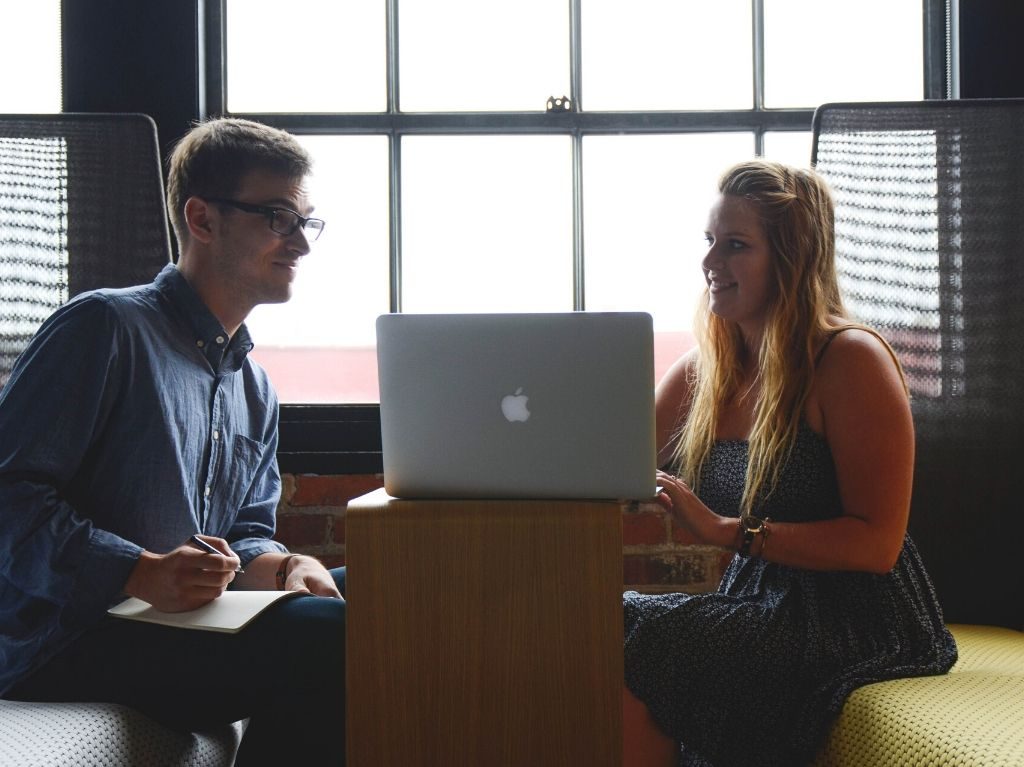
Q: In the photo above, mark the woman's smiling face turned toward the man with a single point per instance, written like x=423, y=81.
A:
x=738, y=267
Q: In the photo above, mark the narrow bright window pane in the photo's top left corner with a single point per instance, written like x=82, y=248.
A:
x=30, y=58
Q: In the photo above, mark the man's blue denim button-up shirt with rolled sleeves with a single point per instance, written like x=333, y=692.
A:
x=131, y=422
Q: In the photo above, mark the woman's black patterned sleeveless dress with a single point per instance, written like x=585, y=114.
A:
x=755, y=673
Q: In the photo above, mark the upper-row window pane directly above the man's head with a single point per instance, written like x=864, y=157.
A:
x=333, y=61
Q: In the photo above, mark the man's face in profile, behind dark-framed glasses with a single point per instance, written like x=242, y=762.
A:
x=255, y=264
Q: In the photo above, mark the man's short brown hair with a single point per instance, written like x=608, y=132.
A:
x=211, y=160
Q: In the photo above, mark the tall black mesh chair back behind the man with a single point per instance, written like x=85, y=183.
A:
x=81, y=207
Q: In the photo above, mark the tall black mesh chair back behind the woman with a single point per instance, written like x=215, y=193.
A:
x=930, y=244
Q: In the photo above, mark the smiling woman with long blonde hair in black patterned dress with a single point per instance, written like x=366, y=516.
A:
x=789, y=437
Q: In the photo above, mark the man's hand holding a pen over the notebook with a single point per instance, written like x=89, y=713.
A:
x=184, y=579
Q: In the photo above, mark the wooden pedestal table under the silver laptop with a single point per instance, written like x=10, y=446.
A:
x=484, y=633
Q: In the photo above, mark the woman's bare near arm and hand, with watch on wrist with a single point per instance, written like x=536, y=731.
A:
x=861, y=407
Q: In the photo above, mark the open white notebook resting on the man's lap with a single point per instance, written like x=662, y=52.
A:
x=230, y=613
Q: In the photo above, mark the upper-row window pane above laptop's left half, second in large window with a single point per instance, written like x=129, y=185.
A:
x=483, y=57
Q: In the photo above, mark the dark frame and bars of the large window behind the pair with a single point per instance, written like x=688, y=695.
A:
x=345, y=439
